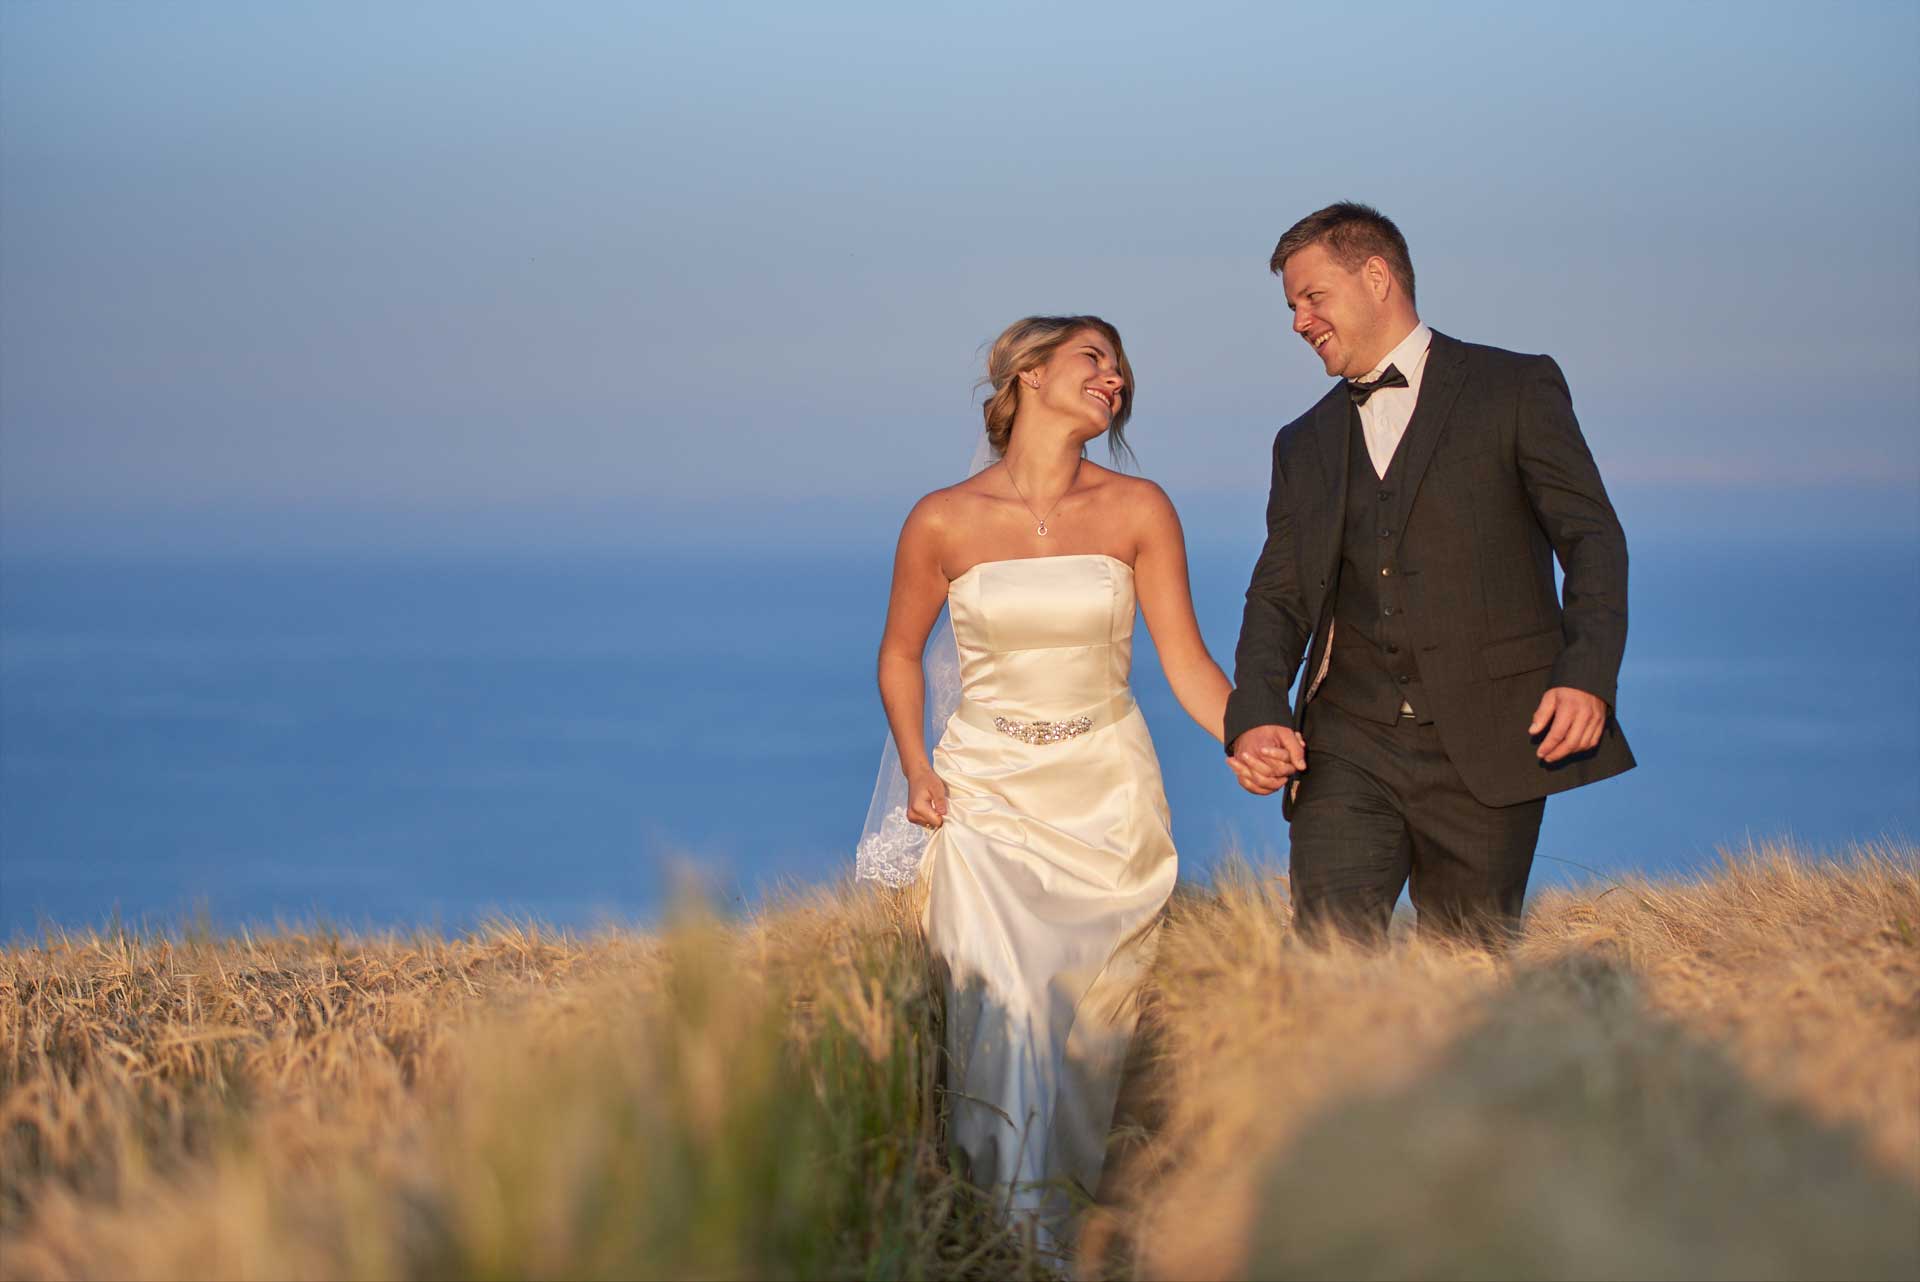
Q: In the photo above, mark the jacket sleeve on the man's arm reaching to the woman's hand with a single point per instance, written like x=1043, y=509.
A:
x=1274, y=630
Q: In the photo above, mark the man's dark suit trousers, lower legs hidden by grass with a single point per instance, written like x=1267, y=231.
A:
x=1380, y=807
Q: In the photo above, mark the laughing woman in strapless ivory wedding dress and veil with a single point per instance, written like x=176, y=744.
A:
x=1051, y=853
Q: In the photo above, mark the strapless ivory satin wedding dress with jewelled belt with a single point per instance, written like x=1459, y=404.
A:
x=1047, y=880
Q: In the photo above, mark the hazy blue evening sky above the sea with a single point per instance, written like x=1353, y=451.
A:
x=523, y=270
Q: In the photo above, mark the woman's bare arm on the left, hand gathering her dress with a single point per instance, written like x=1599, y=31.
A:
x=913, y=607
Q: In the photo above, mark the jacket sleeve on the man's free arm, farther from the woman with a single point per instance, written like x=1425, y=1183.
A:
x=1572, y=506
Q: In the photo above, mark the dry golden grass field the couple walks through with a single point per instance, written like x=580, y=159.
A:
x=1716, y=1080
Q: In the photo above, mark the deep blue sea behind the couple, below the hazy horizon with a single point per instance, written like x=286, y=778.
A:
x=443, y=740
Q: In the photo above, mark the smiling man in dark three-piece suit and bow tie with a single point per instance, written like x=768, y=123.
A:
x=1412, y=531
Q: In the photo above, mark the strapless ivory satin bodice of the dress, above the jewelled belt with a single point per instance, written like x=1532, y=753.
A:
x=1044, y=636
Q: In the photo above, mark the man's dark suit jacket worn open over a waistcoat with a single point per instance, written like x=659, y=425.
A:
x=1502, y=485
